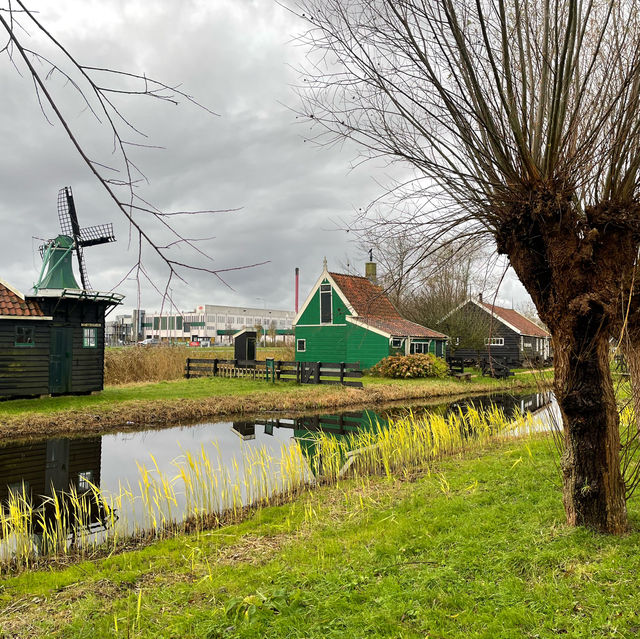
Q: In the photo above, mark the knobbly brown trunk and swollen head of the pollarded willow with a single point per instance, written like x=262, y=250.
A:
x=574, y=266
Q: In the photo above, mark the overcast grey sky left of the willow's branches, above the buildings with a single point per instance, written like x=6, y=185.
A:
x=236, y=57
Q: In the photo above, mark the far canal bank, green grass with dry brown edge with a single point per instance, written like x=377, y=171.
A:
x=130, y=407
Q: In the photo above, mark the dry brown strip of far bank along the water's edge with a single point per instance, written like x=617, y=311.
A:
x=137, y=415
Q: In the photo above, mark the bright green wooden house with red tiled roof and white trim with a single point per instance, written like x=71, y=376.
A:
x=349, y=318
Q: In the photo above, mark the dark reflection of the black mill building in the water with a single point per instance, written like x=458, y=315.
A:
x=56, y=467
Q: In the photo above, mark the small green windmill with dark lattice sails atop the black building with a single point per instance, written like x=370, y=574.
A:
x=56, y=253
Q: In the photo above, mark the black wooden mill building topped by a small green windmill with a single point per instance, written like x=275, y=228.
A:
x=52, y=342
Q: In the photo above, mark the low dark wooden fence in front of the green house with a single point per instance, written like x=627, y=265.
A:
x=346, y=374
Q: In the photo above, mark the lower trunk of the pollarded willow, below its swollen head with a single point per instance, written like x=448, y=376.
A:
x=593, y=486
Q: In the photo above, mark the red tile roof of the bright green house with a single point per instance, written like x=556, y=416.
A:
x=375, y=309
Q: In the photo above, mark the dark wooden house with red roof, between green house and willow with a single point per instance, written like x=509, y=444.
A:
x=477, y=329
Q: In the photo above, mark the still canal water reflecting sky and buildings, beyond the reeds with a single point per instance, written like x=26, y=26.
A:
x=114, y=461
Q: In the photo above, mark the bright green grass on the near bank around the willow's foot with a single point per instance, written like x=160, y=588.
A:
x=476, y=548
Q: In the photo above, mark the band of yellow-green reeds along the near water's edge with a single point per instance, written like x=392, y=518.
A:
x=204, y=492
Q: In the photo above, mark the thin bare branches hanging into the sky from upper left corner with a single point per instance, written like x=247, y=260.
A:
x=36, y=53
